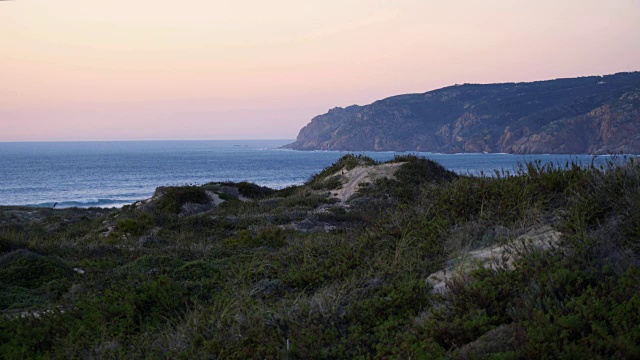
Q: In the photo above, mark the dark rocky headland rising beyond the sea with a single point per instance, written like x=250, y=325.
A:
x=595, y=115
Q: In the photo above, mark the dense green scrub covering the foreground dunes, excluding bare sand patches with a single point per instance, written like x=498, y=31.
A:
x=295, y=274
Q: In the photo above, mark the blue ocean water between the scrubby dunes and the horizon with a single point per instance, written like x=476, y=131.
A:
x=116, y=173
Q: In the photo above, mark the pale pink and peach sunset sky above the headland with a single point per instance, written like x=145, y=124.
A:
x=83, y=70
